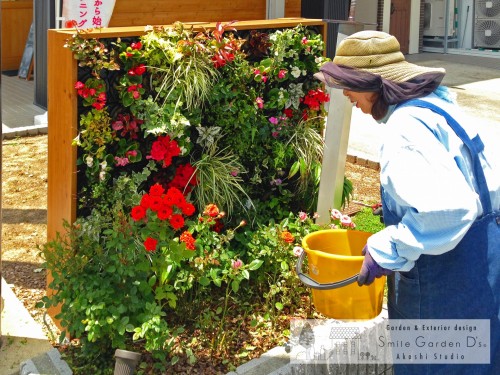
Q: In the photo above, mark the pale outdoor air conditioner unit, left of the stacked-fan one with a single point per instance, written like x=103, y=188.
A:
x=435, y=17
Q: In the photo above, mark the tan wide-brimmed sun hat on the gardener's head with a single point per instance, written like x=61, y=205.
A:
x=374, y=52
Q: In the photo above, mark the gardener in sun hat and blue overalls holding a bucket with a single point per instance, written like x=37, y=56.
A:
x=440, y=190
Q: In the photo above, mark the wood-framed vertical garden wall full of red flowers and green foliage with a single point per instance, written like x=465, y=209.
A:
x=184, y=163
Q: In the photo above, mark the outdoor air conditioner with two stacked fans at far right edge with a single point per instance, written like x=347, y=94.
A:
x=487, y=24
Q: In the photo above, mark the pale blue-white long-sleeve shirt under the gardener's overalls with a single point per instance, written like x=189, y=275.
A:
x=427, y=179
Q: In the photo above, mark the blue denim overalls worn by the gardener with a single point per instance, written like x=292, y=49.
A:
x=463, y=283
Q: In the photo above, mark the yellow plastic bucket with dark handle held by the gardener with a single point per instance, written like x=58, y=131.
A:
x=334, y=259
